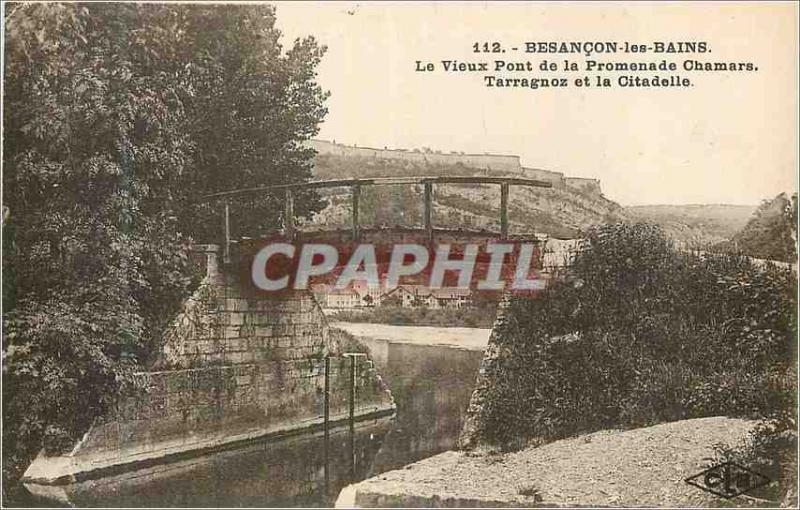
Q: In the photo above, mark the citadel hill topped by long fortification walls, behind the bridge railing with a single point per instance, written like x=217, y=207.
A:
x=563, y=211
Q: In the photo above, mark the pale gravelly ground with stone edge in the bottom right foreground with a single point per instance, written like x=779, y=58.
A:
x=640, y=467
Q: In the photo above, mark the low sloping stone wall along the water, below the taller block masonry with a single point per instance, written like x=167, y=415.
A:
x=197, y=408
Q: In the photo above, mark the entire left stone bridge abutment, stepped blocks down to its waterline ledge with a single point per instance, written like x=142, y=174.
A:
x=235, y=367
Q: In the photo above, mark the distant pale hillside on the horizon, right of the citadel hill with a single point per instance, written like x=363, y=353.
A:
x=695, y=226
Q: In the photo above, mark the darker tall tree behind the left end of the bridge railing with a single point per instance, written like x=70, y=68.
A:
x=250, y=105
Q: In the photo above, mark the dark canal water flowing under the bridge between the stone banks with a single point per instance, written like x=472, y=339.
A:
x=431, y=386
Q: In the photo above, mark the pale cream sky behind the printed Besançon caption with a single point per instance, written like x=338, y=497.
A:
x=730, y=139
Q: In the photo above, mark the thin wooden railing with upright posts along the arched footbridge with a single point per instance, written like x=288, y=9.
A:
x=355, y=186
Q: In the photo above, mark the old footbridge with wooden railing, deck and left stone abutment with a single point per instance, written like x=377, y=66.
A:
x=236, y=366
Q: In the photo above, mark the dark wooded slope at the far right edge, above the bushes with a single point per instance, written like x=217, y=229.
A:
x=770, y=233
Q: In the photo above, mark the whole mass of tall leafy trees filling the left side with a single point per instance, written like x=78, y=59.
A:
x=118, y=118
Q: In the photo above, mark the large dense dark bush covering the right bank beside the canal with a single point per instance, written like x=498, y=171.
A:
x=638, y=333
